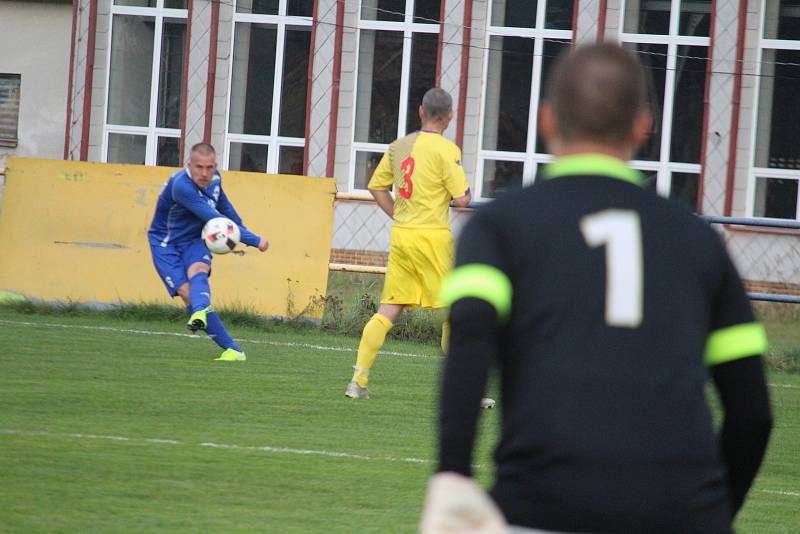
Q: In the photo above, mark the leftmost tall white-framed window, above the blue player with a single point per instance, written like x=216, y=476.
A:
x=145, y=76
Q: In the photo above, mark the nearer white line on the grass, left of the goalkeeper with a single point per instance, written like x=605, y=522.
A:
x=255, y=448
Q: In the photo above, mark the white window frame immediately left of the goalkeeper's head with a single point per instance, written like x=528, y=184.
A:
x=530, y=158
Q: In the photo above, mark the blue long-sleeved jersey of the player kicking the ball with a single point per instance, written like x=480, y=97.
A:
x=183, y=209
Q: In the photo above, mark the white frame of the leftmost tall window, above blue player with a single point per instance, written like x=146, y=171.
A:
x=159, y=13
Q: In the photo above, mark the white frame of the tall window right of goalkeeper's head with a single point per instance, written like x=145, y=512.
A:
x=664, y=167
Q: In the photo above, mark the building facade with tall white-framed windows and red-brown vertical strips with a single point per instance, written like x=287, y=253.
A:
x=320, y=87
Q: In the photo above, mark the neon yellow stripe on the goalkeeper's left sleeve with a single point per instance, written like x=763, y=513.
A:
x=479, y=281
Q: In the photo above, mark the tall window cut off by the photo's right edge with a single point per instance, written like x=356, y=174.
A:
x=776, y=169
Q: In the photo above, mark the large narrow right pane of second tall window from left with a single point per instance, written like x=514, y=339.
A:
x=295, y=82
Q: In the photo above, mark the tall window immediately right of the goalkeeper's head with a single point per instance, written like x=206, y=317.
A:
x=671, y=39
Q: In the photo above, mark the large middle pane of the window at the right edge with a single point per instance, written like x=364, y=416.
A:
x=778, y=126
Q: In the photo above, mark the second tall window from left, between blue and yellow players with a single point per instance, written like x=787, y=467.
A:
x=269, y=84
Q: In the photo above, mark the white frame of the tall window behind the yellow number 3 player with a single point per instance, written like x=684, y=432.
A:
x=408, y=27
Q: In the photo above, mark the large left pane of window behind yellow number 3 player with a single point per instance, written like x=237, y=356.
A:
x=380, y=59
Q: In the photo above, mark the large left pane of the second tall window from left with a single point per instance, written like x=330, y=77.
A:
x=253, y=78
